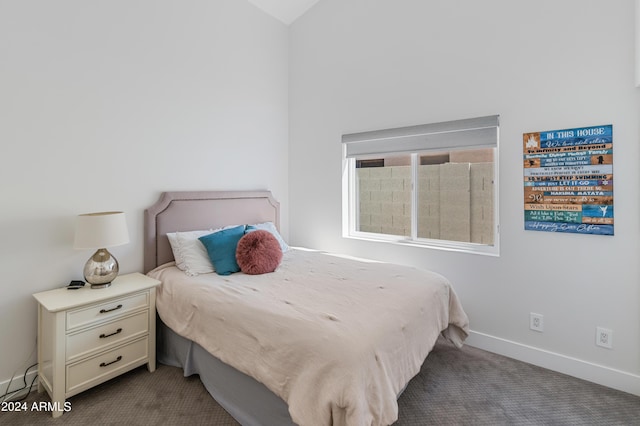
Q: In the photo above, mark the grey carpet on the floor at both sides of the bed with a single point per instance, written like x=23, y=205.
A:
x=455, y=387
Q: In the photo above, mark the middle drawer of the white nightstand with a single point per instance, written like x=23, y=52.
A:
x=109, y=334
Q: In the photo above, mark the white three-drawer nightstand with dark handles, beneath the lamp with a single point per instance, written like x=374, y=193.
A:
x=88, y=336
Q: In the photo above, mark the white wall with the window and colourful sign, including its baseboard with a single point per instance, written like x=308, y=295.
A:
x=358, y=65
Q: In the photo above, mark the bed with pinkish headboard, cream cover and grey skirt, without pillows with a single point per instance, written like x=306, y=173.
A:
x=324, y=339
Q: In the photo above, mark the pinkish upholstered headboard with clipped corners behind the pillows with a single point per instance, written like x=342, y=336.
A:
x=193, y=210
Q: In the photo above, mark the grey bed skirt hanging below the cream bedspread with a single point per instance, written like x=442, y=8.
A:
x=245, y=399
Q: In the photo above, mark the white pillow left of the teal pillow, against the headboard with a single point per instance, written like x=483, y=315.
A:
x=190, y=255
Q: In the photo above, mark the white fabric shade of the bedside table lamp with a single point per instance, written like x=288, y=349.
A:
x=100, y=230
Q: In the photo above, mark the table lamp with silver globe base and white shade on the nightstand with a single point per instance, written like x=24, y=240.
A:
x=98, y=231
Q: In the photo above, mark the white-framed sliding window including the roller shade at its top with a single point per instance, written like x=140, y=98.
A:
x=433, y=185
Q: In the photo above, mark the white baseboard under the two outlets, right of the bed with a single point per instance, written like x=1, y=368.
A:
x=606, y=376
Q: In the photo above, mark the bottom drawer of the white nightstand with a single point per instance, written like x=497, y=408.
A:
x=100, y=368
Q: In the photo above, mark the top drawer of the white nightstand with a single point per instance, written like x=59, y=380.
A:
x=106, y=310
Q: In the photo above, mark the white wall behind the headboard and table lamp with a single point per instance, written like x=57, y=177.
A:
x=103, y=105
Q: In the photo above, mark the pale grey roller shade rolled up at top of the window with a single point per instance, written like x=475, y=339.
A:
x=467, y=133
